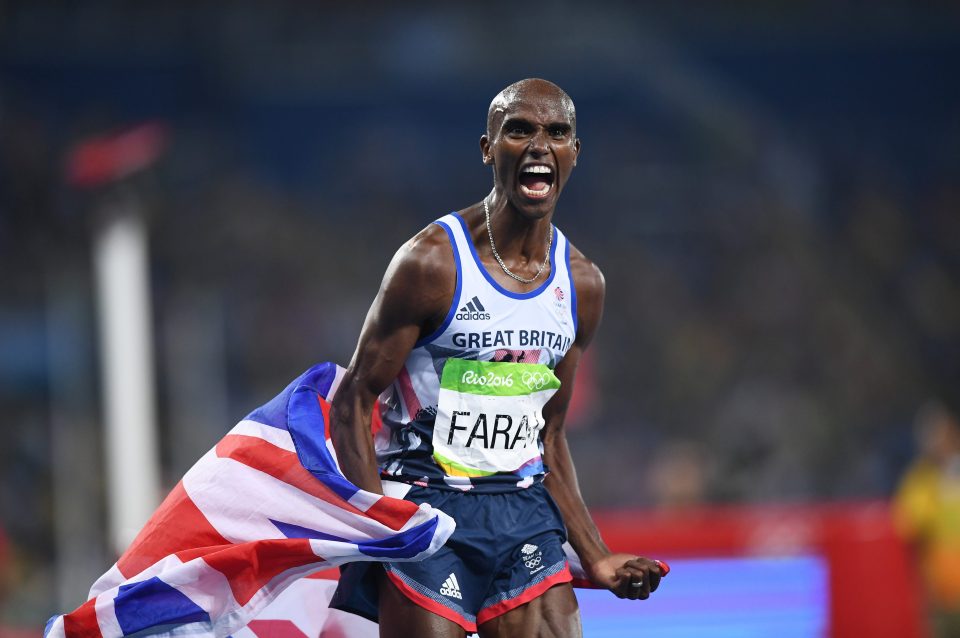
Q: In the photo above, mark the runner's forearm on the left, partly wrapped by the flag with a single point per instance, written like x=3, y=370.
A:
x=350, y=415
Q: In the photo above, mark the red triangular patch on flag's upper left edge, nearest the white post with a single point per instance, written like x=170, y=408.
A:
x=177, y=525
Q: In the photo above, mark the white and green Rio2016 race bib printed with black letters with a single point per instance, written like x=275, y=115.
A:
x=489, y=416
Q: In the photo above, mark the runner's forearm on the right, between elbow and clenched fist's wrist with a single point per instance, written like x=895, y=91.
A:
x=562, y=483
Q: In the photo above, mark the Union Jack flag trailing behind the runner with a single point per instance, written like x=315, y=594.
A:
x=265, y=507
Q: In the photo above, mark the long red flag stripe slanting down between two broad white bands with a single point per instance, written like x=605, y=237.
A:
x=280, y=464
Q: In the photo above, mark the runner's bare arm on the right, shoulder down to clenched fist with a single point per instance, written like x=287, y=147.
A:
x=606, y=569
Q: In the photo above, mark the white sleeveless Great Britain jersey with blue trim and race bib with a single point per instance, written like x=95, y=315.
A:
x=465, y=411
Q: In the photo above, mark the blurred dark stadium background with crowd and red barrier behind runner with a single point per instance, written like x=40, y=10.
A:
x=771, y=188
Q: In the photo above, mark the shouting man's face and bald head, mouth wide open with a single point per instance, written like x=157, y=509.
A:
x=532, y=146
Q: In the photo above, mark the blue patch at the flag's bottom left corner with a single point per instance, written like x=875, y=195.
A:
x=152, y=603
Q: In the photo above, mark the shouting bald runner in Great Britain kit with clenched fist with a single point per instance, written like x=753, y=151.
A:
x=471, y=345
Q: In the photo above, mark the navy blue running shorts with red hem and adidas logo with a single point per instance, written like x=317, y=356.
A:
x=507, y=550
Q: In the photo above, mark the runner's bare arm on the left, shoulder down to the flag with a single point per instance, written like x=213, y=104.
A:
x=414, y=297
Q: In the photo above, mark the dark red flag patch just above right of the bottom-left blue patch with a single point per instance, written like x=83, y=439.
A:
x=250, y=566
